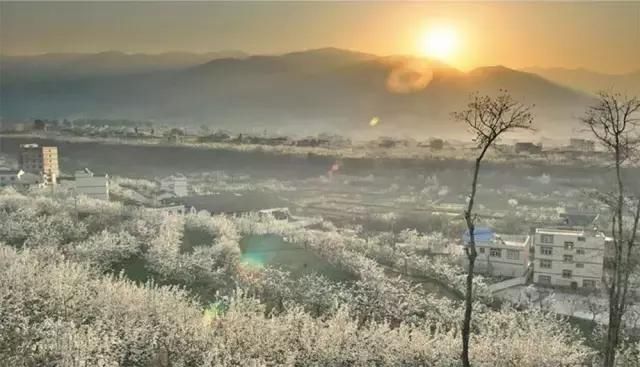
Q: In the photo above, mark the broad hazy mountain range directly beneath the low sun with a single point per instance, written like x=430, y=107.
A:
x=324, y=90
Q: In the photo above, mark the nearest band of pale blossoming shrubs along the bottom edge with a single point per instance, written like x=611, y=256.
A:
x=59, y=313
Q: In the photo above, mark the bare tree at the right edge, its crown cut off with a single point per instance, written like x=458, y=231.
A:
x=614, y=122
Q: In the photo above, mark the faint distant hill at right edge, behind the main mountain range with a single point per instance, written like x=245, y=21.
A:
x=591, y=81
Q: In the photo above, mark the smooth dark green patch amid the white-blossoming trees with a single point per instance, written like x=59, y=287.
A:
x=273, y=250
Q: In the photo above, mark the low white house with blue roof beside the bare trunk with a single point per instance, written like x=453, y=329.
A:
x=500, y=255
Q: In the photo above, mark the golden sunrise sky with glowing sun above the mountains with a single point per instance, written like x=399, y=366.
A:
x=603, y=37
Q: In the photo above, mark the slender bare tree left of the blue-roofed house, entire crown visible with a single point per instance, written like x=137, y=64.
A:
x=487, y=118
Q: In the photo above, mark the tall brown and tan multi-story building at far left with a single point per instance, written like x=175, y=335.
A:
x=40, y=161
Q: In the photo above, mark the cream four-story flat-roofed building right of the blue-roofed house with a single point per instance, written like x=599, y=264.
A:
x=570, y=257
